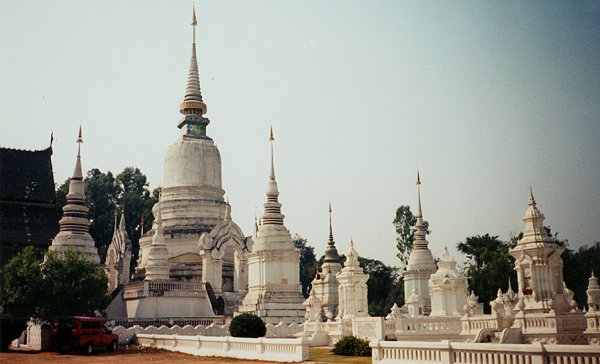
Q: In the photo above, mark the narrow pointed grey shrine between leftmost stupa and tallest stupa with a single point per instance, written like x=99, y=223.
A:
x=118, y=255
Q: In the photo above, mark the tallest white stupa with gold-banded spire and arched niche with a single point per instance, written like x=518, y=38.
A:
x=205, y=250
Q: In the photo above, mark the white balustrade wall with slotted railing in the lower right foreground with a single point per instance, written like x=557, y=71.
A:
x=446, y=352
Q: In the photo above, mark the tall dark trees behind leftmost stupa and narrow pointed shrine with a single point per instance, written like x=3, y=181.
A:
x=104, y=192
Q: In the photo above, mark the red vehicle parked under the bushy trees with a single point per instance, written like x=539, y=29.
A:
x=83, y=333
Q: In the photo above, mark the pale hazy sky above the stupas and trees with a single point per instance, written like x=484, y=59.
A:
x=484, y=98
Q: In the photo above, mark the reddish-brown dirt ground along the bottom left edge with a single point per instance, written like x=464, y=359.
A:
x=123, y=355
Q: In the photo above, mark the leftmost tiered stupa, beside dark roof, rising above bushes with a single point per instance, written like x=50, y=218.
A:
x=74, y=230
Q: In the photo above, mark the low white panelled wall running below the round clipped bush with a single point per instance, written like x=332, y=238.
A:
x=281, y=350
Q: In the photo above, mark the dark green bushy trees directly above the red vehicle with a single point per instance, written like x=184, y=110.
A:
x=64, y=284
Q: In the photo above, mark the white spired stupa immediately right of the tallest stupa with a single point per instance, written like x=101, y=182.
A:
x=274, y=290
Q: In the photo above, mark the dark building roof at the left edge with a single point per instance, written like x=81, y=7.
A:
x=28, y=213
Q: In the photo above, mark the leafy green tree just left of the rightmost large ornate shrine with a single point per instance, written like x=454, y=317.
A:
x=489, y=262
